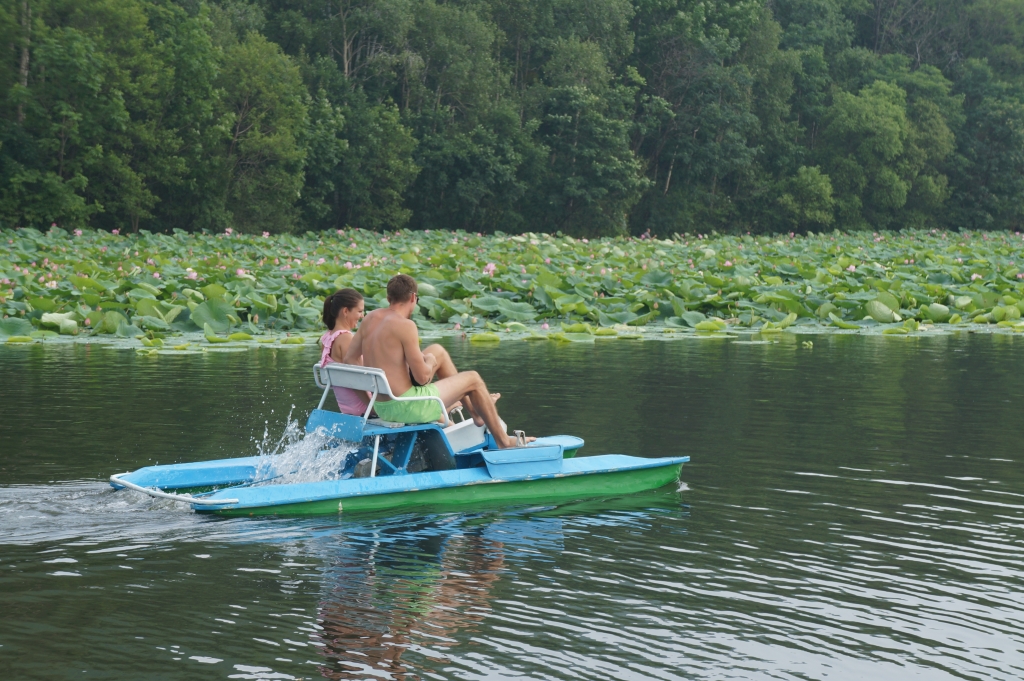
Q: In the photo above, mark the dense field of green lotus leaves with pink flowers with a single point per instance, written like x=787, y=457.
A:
x=184, y=292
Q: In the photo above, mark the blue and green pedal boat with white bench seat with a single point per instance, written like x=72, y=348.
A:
x=394, y=466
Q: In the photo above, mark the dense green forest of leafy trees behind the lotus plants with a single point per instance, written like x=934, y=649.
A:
x=591, y=117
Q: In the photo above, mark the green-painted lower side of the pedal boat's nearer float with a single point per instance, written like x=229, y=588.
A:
x=610, y=484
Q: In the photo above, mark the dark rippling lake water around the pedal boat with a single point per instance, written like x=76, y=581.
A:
x=854, y=510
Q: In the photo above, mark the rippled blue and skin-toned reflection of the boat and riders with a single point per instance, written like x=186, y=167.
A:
x=416, y=589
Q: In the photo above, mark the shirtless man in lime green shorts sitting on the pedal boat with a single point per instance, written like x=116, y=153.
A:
x=389, y=339
